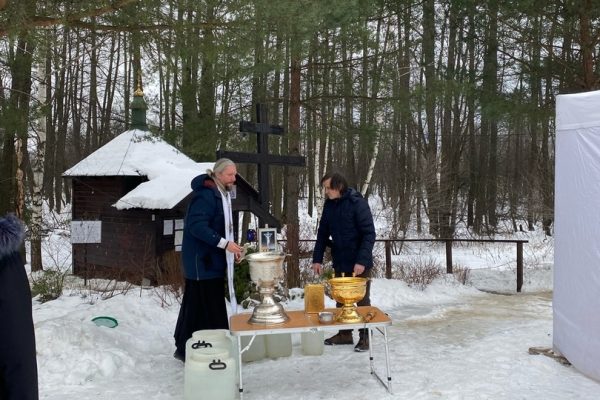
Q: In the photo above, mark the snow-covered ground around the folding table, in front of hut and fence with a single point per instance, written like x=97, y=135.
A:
x=449, y=341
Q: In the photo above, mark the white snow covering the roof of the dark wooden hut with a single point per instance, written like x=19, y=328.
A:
x=139, y=153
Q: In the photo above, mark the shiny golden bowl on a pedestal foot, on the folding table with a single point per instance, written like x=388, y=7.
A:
x=348, y=290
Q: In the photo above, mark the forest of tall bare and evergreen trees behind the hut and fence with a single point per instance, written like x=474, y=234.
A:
x=444, y=109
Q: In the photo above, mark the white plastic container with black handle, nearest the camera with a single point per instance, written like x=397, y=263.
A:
x=210, y=374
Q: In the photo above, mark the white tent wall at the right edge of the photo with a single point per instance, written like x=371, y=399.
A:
x=576, y=302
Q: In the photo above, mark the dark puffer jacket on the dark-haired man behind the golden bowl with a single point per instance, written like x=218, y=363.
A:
x=347, y=227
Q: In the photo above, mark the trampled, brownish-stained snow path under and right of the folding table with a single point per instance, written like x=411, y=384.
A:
x=477, y=349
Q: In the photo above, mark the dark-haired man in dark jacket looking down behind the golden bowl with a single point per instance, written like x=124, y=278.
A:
x=347, y=227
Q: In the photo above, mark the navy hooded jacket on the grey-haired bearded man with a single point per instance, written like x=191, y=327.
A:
x=203, y=229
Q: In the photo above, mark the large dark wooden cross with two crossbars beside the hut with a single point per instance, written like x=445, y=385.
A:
x=262, y=158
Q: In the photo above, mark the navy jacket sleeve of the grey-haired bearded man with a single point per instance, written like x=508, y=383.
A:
x=200, y=213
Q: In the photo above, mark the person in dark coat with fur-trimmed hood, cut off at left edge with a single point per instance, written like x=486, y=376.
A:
x=18, y=365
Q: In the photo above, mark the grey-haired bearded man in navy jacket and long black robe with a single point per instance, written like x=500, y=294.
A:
x=208, y=247
